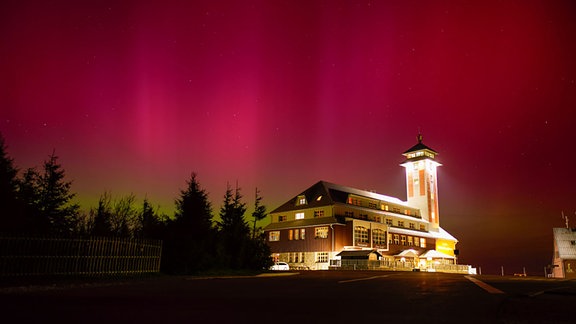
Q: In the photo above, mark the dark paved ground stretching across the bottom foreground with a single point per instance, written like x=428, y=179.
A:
x=305, y=297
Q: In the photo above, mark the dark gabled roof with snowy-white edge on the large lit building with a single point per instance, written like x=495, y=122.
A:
x=325, y=193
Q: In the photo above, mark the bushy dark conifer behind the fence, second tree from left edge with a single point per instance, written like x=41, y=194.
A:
x=48, y=197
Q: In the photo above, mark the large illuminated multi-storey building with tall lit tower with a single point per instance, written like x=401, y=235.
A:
x=315, y=227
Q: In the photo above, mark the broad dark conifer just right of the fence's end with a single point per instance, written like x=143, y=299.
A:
x=189, y=242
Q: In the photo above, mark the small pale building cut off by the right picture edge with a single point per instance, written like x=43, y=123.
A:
x=564, y=260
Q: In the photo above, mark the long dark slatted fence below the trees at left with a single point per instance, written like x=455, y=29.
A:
x=35, y=256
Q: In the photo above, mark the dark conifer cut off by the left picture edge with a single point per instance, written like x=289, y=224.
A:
x=12, y=218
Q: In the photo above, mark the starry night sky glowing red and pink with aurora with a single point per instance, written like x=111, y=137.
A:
x=134, y=96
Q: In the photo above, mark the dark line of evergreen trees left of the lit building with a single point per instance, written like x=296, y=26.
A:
x=39, y=202
